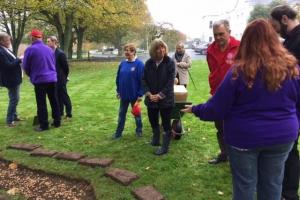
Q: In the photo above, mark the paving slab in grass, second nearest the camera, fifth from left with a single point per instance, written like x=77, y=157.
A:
x=121, y=175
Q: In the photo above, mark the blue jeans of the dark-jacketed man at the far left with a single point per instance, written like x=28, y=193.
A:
x=14, y=96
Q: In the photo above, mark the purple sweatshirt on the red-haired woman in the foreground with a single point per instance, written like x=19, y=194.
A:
x=253, y=117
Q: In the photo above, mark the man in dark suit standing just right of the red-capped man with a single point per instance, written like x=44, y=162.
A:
x=62, y=69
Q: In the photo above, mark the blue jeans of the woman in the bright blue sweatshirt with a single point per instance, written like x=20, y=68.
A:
x=122, y=118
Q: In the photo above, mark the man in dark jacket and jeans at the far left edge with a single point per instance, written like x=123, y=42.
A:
x=10, y=77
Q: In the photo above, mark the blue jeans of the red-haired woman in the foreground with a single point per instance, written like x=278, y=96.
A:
x=258, y=170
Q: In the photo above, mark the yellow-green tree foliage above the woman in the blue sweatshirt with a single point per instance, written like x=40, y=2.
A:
x=119, y=21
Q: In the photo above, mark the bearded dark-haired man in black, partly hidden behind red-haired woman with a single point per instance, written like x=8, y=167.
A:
x=284, y=20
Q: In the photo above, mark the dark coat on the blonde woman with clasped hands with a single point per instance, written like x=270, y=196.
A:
x=159, y=79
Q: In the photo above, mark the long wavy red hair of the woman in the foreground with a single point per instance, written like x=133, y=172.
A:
x=261, y=49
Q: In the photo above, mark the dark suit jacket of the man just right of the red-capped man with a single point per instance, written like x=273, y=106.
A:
x=62, y=66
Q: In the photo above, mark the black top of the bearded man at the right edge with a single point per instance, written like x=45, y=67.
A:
x=292, y=42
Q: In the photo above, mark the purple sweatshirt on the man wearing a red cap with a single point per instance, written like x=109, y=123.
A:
x=39, y=63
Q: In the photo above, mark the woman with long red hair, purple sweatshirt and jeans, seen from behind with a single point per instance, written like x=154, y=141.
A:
x=257, y=101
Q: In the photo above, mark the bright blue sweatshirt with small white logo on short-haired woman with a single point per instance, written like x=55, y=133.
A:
x=129, y=80
